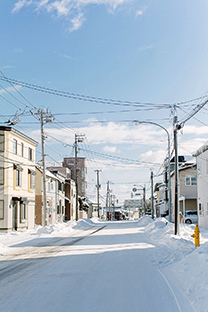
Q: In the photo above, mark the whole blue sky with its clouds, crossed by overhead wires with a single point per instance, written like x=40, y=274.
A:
x=139, y=51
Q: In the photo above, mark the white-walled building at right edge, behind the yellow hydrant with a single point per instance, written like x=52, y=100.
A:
x=202, y=185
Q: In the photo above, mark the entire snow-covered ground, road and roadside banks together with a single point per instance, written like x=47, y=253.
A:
x=182, y=267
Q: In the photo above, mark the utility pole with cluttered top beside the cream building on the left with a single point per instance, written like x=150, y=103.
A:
x=44, y=117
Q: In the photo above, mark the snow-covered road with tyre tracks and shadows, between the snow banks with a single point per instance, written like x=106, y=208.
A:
x=110, y=267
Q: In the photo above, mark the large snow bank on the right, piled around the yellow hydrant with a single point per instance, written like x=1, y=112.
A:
x=178, y=255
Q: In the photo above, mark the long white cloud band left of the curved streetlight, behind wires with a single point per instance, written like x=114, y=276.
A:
x=114, y=134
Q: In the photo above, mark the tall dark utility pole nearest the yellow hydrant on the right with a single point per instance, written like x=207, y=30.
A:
x=176, y=175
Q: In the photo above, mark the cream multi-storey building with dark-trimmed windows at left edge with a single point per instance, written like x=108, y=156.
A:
x=17, y=180
